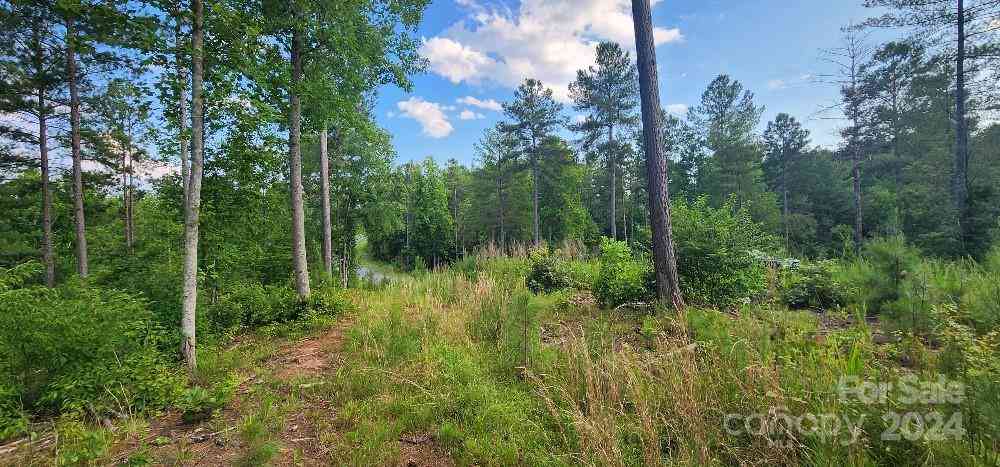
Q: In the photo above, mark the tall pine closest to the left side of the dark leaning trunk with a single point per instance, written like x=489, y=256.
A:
x=609, y=92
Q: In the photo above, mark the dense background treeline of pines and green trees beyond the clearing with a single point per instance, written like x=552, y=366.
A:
x=594, y=184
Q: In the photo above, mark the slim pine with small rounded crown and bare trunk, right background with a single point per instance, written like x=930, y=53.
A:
x=784, y=141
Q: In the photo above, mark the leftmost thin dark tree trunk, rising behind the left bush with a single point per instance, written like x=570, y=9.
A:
x=48, y=257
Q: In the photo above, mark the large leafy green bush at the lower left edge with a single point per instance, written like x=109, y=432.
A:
x=80, y=349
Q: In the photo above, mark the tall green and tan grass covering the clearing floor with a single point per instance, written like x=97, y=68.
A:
x=496, y=375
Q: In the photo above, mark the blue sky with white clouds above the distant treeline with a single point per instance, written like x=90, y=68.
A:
x=480, y=50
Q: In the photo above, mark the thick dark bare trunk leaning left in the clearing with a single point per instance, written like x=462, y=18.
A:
x=667, y=282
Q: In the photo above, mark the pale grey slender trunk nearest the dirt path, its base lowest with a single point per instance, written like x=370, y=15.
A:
x=192, y=204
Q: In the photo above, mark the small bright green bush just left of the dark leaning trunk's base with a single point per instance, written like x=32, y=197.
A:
x=622, y=278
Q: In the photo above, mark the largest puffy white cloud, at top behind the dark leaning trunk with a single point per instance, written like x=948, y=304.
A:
x=544, y=39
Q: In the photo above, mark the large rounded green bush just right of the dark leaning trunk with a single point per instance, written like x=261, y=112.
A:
x=714, y=253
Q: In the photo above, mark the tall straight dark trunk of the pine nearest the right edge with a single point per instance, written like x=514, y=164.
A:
x=960, y=173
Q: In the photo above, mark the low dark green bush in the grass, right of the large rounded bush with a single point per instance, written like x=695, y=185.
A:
x=811, y=285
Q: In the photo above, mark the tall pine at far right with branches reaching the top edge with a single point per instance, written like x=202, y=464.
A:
x=965, y=31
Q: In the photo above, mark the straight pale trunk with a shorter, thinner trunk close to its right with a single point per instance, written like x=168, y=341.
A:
x=295, y=177
